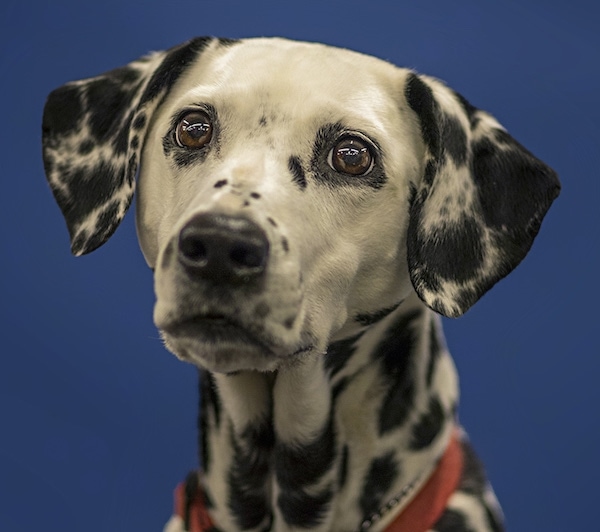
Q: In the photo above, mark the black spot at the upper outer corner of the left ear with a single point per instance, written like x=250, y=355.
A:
x=63, y=112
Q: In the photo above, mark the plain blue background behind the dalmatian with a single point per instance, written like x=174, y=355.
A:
x=98, y=420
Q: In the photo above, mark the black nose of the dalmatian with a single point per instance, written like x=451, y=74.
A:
x=223, y=249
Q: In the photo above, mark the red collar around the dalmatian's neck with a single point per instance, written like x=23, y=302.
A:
x=420, y=515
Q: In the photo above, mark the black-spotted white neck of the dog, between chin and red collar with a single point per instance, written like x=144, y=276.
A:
x=326, y=442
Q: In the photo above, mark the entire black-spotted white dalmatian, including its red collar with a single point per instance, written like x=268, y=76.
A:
x=308, y=213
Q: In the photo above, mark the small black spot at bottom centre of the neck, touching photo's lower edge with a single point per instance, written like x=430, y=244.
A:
x=302, y=510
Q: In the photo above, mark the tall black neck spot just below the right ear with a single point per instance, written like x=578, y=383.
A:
x=395, y=353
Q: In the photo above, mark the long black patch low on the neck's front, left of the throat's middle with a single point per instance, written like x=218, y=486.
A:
x=248, y=475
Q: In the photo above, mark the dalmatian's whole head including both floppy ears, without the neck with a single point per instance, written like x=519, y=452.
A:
x=289, y=192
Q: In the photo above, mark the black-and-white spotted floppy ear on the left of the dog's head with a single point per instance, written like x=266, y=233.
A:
x=92, y=134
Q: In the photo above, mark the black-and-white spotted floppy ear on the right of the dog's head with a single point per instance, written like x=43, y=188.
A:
x=481, y=201
